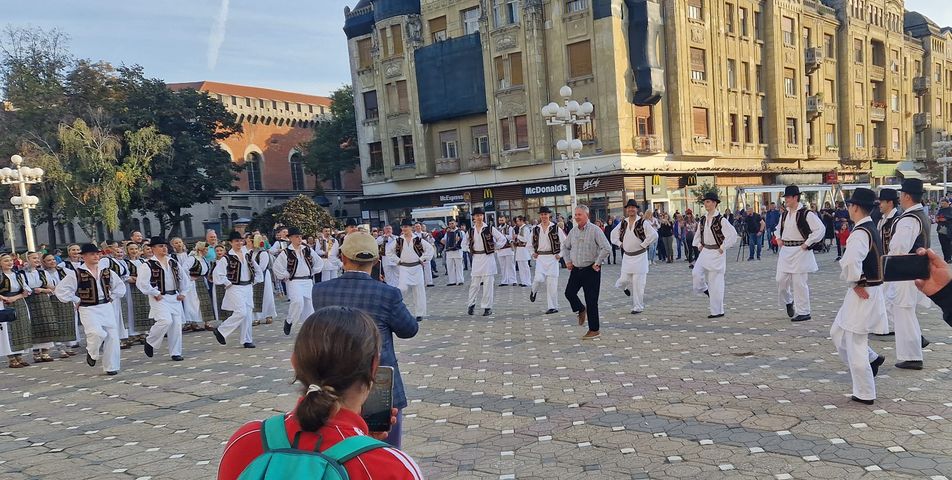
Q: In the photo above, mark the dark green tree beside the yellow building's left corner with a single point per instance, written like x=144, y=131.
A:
x=333, y=150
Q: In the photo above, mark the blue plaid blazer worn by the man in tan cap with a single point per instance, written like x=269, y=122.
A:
x=384, y=304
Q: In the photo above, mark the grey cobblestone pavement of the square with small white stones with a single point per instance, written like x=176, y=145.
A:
x=664, y=394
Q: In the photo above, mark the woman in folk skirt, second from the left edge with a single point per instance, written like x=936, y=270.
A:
x=43, y=320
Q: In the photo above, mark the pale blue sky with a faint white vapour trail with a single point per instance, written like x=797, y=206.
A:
x=294, y=45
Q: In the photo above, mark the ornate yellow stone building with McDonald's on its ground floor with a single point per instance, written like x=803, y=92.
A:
x=738, y=93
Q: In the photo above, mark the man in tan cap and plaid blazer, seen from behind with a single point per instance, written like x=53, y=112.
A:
x=357, y=289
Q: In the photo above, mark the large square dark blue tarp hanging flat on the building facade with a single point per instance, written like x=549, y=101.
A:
x=450, y=79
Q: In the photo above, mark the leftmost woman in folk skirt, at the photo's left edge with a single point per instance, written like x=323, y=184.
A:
x=16, y=337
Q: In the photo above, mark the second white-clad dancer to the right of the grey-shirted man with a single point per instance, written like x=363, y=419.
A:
x=716, y=236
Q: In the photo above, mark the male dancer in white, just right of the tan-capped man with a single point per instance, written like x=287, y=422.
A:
x=412, y=253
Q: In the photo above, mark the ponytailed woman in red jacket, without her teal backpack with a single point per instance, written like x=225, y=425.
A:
x=335, y=357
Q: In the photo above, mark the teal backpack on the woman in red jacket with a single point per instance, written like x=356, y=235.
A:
x=282, y=461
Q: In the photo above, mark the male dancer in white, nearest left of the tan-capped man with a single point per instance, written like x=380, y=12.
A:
x=296, y=266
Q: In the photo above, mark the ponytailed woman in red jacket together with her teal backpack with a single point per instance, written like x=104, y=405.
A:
x=336, y=354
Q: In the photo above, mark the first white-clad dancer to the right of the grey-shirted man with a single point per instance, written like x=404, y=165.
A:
x=634, y=235
